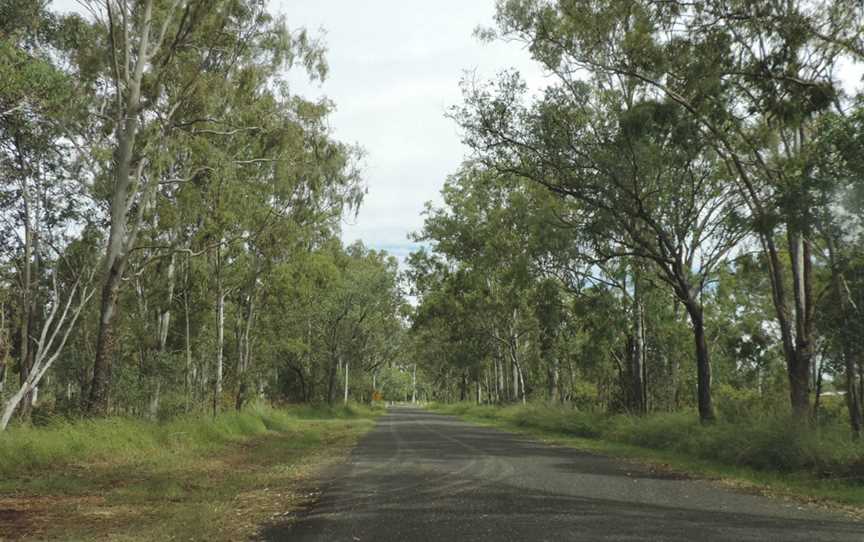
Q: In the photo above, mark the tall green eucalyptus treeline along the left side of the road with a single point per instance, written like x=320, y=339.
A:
x=171, y=215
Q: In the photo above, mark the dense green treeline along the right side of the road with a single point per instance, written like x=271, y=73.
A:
x=677, y=216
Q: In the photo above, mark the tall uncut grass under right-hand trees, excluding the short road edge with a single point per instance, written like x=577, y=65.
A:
x=767, y=442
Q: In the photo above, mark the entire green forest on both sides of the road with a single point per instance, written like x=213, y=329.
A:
x=673, y=223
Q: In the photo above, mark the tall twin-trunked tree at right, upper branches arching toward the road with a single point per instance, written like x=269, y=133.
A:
x=753, y=76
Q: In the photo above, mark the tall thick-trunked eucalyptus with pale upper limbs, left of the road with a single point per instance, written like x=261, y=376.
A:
x=158, y=63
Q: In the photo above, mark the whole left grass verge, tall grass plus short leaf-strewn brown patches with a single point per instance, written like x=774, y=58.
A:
x=213, y=479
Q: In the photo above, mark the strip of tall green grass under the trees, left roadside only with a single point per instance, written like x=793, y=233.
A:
x=126, y=440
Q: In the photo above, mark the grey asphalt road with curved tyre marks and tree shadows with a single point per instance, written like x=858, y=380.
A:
x=421, y=476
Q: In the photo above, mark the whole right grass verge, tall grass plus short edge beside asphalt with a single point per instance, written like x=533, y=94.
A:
x=761, y=453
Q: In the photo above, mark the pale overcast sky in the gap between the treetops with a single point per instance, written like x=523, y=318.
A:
x=395, y=67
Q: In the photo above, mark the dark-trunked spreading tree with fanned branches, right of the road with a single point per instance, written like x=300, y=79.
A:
x=638, y=178
